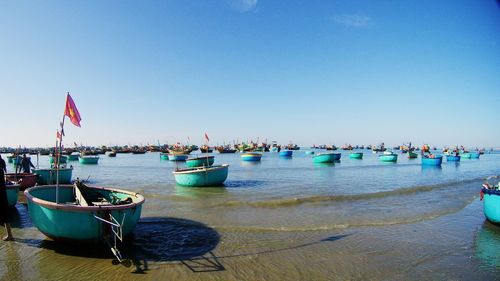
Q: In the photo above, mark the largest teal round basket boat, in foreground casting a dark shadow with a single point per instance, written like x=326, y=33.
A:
x=83, y=215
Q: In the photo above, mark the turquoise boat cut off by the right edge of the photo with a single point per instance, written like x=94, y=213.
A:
x=490, y=194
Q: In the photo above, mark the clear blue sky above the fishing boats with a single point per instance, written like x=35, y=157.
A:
x=310, y=72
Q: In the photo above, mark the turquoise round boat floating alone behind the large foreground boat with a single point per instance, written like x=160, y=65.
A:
x=202, y=176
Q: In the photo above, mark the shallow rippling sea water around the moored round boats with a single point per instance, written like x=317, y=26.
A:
x=283, y=218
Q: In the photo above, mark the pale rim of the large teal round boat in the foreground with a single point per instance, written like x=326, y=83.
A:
x=53, y=205
